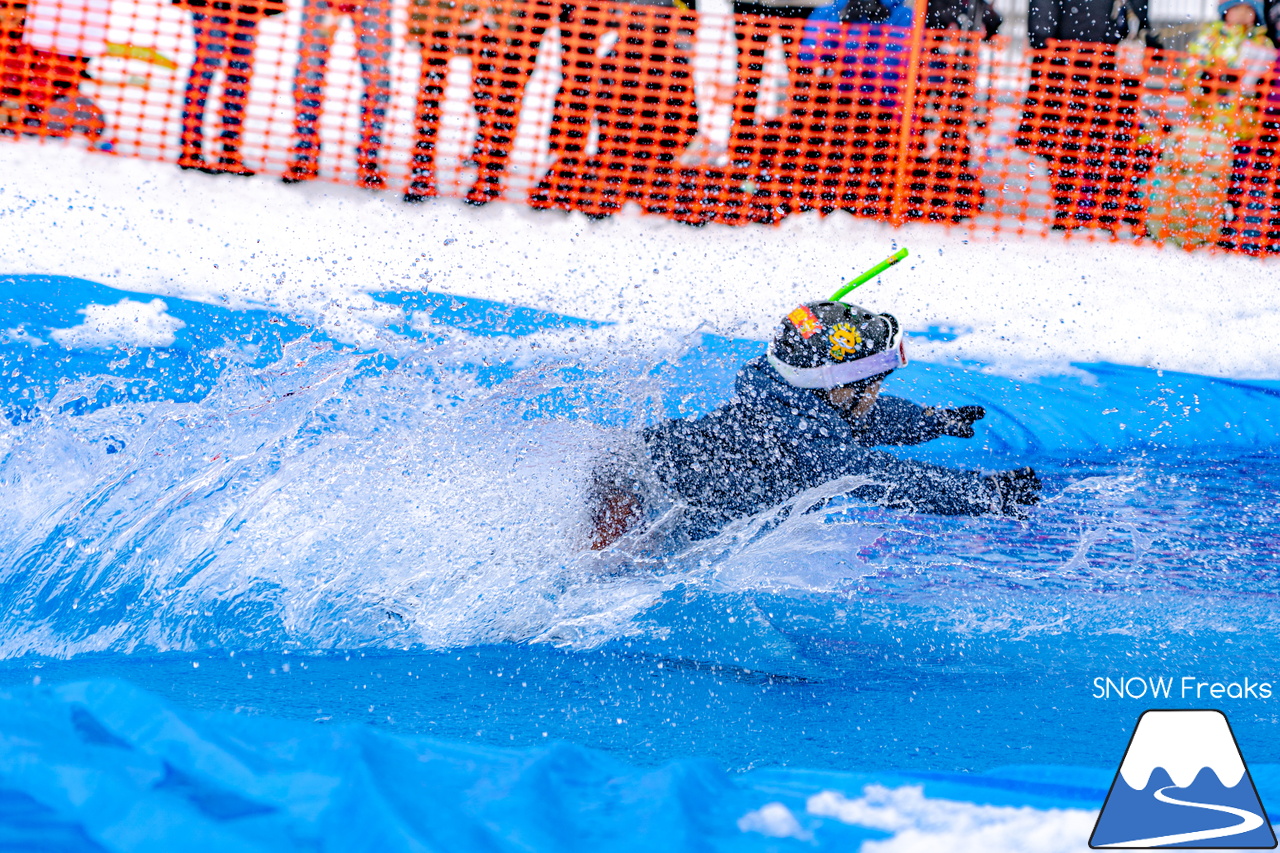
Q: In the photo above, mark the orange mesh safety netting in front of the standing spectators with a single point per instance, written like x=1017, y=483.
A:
x=701, y=118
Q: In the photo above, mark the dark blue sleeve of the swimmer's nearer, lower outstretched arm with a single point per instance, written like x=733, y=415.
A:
x=920, y=487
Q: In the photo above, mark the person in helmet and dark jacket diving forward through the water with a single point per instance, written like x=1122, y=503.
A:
x=806, y=414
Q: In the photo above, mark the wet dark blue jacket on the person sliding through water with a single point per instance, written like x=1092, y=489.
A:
x=775, y=441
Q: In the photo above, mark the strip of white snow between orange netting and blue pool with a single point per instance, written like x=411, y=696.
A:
x=1025, y=307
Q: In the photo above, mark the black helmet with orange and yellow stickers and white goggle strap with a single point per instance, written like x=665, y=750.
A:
x=828, y=345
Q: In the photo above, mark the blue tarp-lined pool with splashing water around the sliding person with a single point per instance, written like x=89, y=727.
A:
x=304, y=589
